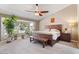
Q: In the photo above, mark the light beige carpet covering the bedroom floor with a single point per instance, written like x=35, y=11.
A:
x=23, y=46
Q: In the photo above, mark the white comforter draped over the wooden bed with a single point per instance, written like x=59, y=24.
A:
x=55, y=33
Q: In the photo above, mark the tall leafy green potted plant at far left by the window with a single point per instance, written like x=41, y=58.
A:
x=9, y=23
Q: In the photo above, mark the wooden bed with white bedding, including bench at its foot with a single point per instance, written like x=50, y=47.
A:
x=48, y=37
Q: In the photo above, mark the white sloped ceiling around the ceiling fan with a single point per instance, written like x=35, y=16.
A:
x=19, y=10
